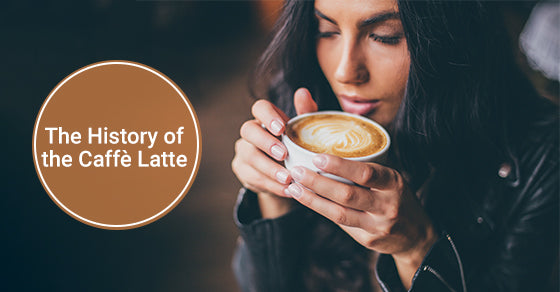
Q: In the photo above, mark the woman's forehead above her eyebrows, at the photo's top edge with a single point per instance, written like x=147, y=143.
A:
x=354, y=10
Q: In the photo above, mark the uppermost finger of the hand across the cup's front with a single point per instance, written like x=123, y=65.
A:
x=371, y=175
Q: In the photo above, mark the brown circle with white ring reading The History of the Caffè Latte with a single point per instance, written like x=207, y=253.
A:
x=116, y=145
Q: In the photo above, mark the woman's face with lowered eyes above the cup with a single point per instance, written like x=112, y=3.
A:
x=362, y=51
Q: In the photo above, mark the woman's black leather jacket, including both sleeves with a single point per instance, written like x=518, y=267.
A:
x=501, y=237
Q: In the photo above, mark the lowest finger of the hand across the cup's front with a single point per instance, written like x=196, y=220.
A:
x=331, y=210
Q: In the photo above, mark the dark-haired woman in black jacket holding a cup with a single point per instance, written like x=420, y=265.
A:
x=469, y=200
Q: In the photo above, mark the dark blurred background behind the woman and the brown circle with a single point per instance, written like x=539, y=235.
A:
x=208, y=48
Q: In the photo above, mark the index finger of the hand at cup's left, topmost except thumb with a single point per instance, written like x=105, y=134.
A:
x=270, y=116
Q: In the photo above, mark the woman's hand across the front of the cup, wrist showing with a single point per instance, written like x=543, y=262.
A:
x=380, y=212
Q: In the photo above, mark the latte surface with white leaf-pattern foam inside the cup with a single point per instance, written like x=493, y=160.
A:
x=338, y=135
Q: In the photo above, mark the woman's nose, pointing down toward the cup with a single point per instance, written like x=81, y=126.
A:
x=351, y=67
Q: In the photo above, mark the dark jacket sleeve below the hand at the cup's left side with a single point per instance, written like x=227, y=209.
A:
x=267, y=257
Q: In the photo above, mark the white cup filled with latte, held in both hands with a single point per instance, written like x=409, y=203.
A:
x=342, y=134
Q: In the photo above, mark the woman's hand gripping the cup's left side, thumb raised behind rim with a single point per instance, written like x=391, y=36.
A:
x=259, y=153
